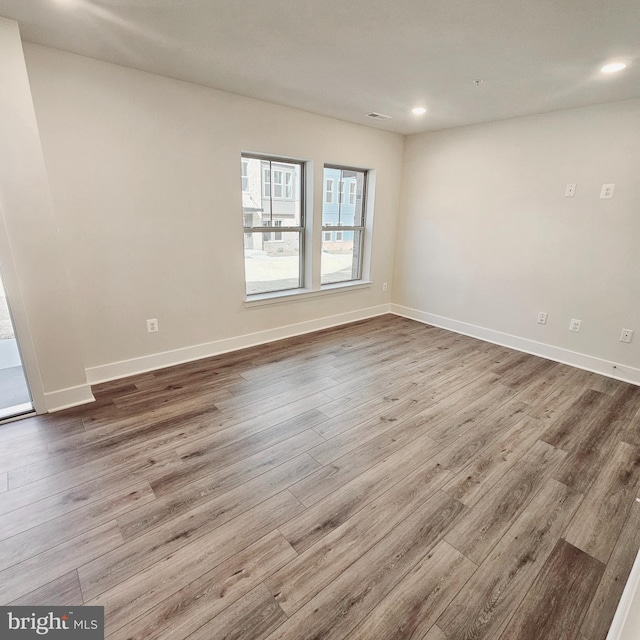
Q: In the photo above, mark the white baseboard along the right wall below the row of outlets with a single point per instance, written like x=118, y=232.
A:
x=615, y=370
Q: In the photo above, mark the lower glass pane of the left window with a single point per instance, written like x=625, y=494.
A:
x=272, y=265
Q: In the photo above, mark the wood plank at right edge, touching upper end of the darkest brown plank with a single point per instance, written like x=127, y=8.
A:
x=597, y=524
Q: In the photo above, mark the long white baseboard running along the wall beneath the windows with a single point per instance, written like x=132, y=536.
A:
x=124, y=368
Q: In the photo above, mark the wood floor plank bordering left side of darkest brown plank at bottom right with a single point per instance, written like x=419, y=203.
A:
x=482, y=608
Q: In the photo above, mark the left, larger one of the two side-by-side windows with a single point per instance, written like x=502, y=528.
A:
x=274, y=198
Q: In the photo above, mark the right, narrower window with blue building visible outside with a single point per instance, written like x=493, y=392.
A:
x=344, y=222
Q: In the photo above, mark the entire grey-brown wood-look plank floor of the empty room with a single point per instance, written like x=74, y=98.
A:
x=383, y=480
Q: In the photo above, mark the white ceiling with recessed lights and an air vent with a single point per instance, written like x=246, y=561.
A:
x=345, y=58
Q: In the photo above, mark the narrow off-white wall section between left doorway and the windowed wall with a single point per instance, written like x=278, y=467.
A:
x=30, y=251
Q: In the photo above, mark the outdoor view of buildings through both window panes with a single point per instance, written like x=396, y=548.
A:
x=273, y=214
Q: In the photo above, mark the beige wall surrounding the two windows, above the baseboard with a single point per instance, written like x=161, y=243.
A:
x=145, y=177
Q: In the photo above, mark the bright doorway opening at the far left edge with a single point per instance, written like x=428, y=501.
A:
x=15, y=397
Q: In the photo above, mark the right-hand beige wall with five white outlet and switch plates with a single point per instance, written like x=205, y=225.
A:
x=487, y=239
